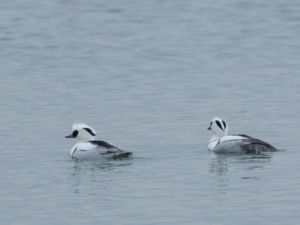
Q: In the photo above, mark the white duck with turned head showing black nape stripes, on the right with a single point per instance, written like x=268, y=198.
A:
x=221, y=142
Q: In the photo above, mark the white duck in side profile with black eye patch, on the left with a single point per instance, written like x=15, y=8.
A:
x=89, y=148
